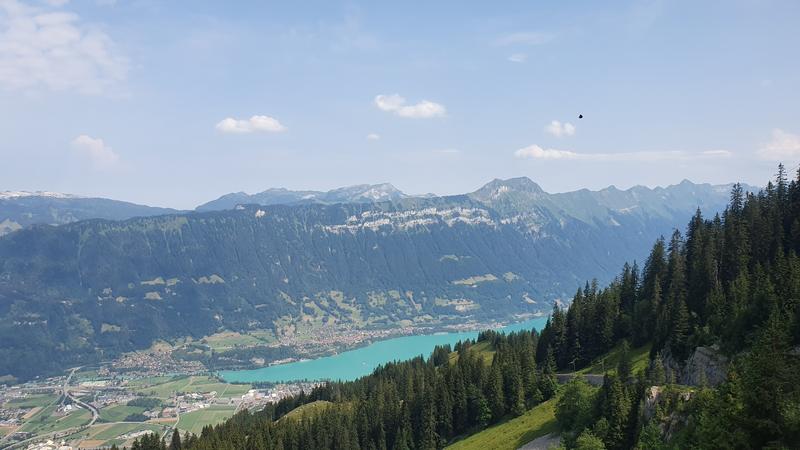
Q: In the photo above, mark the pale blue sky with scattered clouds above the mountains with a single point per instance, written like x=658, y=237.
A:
x=173, y=103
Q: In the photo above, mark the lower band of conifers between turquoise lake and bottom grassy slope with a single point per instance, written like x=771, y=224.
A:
x=417, y=404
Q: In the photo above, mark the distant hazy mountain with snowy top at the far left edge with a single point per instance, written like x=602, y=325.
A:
x=19, y=209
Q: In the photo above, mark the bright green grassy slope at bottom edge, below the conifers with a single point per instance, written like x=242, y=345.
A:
x=515, y=432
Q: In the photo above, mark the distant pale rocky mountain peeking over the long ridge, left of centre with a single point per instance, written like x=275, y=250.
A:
x=362, y=193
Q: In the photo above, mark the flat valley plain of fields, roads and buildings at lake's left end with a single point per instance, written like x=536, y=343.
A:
x=115, y=403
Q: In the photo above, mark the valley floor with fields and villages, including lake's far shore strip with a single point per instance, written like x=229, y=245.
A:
x=159, y=389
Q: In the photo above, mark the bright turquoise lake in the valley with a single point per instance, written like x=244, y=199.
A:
x=362, y=361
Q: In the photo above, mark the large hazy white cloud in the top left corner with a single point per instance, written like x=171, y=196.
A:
x=54, y=49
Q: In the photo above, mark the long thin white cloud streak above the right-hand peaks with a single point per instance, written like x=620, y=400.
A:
x=537, y=152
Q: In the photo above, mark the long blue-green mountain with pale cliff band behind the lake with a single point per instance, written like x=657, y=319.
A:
x=89, y=289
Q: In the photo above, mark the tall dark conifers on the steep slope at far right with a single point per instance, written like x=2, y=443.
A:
x=734, y=281
